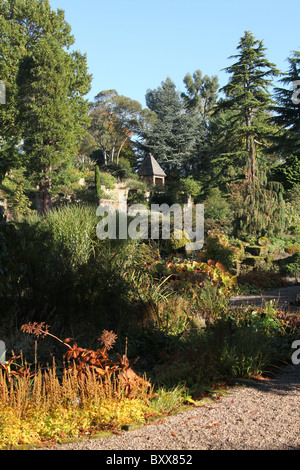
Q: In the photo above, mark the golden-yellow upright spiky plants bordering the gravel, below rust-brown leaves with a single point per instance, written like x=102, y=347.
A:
x=53, y=407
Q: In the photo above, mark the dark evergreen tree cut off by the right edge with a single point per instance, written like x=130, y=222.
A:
x=287, y=142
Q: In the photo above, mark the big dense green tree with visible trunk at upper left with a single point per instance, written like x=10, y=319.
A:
x=46, y=88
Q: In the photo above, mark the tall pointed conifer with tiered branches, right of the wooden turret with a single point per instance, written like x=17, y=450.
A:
x=248, y=98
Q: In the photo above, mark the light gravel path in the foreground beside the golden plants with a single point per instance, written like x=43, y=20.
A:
x=264, y=415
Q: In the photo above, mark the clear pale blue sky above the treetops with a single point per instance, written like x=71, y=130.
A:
x=133, y=45
